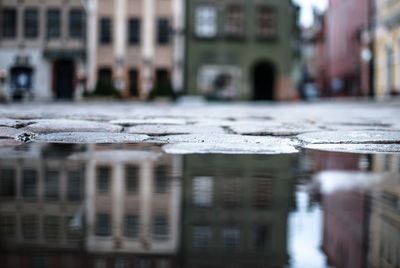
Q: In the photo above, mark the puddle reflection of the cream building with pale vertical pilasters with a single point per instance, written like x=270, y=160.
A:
x=132, y=202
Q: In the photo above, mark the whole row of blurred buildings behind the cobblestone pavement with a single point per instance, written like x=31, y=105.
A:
x=225, y=50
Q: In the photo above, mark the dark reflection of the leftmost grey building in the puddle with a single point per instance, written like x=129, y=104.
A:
x=40, y=195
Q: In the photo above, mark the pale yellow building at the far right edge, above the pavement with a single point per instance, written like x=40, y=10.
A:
x=387, y=48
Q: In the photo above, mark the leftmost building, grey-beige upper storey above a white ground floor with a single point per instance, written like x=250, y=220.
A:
x=42, y=48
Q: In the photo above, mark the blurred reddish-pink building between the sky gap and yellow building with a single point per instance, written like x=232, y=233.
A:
x=347, y=56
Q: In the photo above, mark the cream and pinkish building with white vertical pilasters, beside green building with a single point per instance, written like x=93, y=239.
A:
x=135, y=44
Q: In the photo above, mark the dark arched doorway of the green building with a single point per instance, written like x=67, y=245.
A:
x=263, y=81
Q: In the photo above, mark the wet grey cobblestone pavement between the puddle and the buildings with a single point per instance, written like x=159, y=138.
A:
x=186, y=127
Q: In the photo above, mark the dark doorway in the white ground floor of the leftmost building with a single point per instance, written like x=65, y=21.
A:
x=64, y=79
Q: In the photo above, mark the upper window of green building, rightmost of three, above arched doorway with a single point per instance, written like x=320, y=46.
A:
x=266, y=23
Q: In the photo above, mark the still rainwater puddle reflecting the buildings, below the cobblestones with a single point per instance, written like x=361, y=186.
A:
x=132, y=205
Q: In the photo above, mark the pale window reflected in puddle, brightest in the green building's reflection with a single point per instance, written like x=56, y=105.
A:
x=203, y=191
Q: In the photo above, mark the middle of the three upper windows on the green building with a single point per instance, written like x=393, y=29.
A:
x=234, y=24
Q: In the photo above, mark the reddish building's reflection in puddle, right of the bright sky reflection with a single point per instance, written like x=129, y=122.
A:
x=345, y=212
